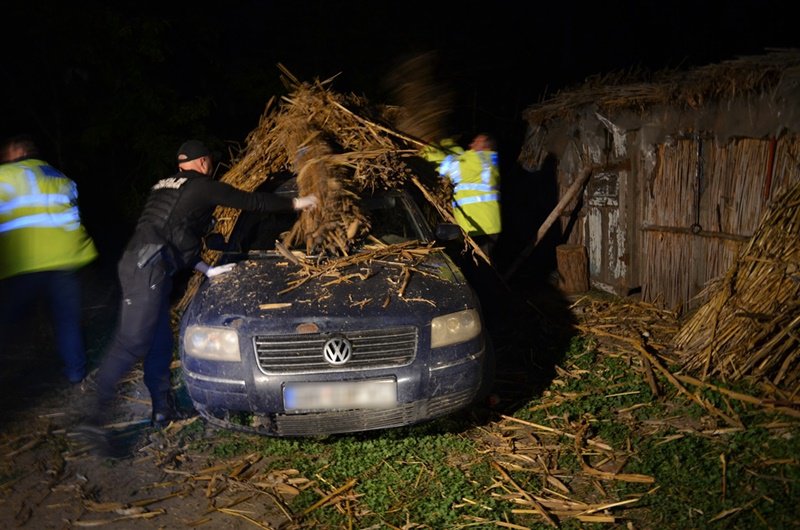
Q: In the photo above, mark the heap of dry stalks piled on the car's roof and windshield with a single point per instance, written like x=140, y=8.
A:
x=340, y=147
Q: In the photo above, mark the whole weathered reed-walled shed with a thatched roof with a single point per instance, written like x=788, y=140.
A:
x=682, y=165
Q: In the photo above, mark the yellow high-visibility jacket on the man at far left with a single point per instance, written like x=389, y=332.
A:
x=40, y=226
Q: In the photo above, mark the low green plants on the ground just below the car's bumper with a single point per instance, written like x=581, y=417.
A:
x=416, y=474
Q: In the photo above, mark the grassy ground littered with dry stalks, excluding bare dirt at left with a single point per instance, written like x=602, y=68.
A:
x=606, y=441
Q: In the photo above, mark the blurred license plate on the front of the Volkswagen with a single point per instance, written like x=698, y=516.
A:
x=340, y=395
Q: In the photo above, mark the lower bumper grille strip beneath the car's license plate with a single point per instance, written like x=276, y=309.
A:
x=361, y=420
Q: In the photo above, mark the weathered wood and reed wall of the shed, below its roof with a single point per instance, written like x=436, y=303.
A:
x=671, y=226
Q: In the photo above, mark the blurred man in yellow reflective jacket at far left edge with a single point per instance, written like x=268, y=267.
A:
x=42, y=245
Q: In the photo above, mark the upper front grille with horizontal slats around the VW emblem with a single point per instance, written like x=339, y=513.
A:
x=303, y=353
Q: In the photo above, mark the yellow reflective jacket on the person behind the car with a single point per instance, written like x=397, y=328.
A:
x=476, y=181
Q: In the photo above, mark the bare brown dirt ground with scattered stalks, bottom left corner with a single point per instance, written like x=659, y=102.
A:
x=50, y=478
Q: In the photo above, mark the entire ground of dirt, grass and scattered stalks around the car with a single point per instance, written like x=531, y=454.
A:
x=596, y=428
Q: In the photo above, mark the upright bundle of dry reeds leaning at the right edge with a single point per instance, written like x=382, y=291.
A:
x=750, y=324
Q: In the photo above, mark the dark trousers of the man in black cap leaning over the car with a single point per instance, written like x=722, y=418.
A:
x=143, y=334
